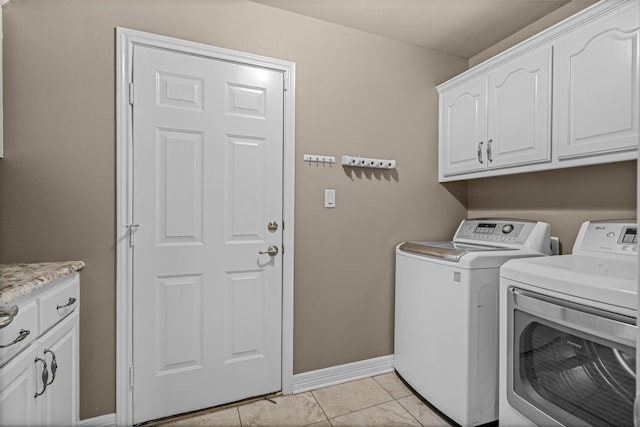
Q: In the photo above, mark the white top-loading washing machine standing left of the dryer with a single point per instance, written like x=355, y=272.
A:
x=446, y=316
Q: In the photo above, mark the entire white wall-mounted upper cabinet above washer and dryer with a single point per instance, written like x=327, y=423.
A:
x=496, y=118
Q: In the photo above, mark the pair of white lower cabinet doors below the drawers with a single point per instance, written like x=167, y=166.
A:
x=40, y=385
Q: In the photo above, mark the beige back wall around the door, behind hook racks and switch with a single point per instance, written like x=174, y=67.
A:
x=357, y=94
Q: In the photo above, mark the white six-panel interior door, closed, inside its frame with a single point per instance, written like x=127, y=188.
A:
x=207, y=180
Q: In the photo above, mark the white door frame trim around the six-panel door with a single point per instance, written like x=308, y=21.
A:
x=125, y=41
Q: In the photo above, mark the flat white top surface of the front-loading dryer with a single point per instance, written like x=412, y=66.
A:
x=599, y=279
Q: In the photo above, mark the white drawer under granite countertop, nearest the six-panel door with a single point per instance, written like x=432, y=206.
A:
x=59, y=302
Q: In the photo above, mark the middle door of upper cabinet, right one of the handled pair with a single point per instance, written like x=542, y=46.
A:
x=519, y=111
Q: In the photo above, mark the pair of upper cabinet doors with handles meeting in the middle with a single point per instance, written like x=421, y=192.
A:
x=499, y=119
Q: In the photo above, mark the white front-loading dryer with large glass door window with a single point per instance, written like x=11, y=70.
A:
x=568, y=332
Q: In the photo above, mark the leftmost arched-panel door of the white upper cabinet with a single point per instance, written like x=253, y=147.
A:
x=463, y=127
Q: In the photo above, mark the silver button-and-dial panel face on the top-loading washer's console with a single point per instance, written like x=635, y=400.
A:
x=495, y=231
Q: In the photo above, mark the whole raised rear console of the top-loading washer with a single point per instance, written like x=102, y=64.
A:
x=505, y=232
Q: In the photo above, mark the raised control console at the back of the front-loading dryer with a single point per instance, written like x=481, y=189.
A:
x=619, y=238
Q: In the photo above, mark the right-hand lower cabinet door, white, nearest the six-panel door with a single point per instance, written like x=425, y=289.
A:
x=59, y=404
